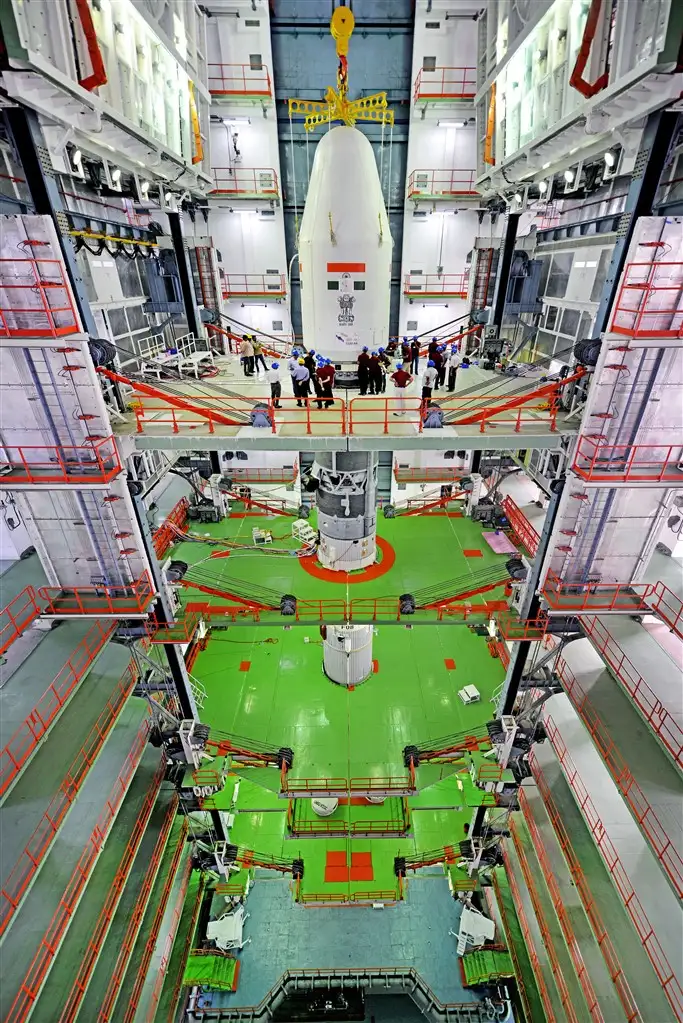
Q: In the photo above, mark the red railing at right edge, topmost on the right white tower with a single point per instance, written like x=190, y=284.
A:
x=649, y=304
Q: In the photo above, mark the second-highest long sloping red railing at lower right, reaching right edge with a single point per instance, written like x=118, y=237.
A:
x=646, y=816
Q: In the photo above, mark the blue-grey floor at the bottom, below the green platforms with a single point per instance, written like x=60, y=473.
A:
x=286, y=937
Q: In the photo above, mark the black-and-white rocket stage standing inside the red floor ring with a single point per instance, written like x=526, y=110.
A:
x=347, y=509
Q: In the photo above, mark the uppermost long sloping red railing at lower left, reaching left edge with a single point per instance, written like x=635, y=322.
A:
x=25, y=740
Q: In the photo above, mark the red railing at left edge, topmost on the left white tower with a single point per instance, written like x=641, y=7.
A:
x=36, y=299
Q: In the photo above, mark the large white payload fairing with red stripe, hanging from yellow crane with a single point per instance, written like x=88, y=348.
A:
x=345, y=250
